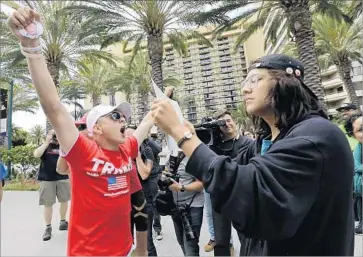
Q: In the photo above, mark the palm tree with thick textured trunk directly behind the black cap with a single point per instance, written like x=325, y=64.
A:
x=299, y=21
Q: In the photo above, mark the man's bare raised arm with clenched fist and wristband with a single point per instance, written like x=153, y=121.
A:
x=53, y=108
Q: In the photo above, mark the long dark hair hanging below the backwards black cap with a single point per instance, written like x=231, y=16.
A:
x=290, y=102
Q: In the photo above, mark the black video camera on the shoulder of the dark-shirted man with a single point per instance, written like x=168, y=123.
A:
x=208, y=131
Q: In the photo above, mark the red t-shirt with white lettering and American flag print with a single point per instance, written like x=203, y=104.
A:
x=100, y=210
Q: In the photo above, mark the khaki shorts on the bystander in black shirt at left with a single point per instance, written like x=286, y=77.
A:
x=50, y=190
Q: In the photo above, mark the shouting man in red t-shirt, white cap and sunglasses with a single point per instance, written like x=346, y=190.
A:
x=100, y=168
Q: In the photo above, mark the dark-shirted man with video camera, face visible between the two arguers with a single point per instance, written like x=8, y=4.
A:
x=230, y=144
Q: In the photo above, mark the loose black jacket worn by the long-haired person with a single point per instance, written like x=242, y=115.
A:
x=297, y=196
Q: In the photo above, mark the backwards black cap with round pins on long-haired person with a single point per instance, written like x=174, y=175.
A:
x=284, y=63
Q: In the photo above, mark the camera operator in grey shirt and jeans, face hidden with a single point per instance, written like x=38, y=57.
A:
x=189, y=199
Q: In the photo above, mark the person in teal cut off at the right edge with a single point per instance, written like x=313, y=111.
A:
x=354, y=128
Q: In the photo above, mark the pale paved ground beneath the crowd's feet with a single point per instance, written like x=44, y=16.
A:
x=22, y=228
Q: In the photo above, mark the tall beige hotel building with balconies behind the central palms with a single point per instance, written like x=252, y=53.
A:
x=211, y=76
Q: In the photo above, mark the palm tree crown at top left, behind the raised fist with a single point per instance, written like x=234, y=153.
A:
x=61, y=44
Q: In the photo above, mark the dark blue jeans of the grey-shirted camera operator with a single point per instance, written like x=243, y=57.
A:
x=189, y=248
